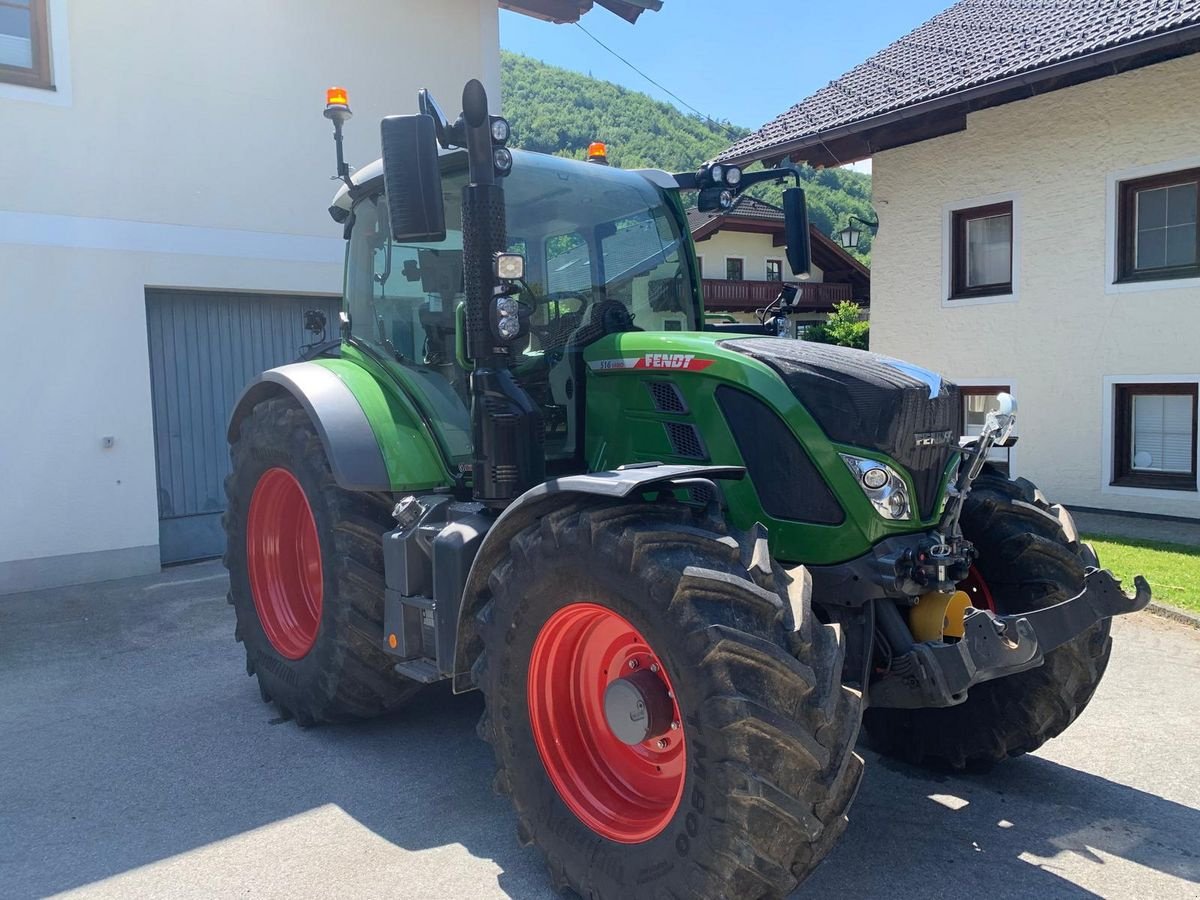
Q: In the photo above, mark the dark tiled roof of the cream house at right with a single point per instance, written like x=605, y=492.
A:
x=977, y=52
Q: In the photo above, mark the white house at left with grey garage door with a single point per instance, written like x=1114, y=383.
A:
x=164, y=191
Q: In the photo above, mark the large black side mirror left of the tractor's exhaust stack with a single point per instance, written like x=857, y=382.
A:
x=412, y=179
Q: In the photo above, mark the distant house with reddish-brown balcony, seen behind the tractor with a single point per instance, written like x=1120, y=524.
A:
x=743, y=261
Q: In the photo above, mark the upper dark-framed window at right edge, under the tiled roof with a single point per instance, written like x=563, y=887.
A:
x=1157, y=233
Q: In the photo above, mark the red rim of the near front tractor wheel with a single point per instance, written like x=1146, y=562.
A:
x=625, y=793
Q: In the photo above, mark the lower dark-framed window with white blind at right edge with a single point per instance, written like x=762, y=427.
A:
x=1155, y=436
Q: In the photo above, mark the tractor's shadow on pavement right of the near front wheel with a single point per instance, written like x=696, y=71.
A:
x=920, y=835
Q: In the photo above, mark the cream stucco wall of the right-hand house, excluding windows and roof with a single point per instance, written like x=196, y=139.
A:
x=1067, y=333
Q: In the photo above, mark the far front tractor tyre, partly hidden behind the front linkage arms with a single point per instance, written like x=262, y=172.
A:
x=1030, y=559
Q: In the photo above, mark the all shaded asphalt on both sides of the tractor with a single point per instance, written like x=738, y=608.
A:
x=143, y=742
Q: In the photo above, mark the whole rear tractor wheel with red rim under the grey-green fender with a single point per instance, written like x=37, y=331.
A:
x=305, y=565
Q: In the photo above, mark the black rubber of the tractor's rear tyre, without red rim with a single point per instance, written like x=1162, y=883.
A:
x=345, y=675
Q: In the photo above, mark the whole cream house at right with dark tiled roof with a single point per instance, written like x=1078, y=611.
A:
x=1036, y=176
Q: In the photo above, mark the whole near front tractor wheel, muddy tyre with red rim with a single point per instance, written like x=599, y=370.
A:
x=747, y=790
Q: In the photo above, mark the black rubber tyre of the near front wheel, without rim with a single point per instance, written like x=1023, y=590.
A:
x=769, y=728
